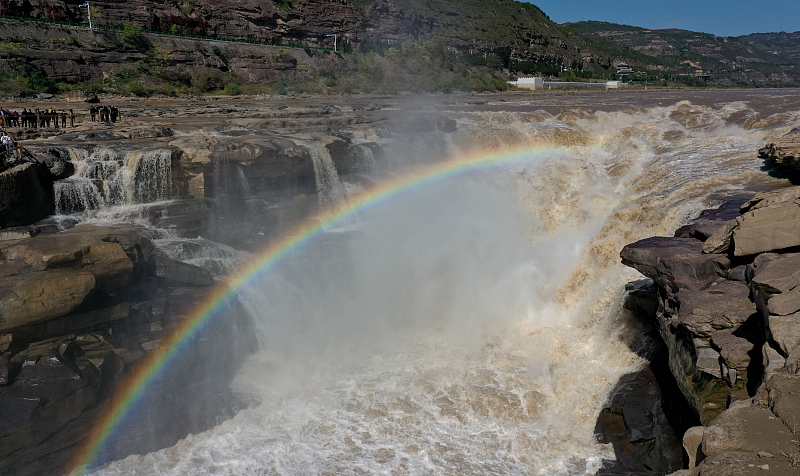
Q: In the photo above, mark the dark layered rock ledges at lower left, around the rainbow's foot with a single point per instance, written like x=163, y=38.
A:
x=78, y=312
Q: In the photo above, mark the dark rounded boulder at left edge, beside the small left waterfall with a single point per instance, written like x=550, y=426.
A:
x=26, y=194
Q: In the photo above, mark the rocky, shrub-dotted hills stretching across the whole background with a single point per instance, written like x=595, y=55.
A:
x=443, y=45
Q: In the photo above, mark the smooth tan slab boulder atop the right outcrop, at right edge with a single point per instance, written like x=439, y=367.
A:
x=767, y=229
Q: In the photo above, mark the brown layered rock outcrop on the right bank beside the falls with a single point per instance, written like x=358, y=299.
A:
x=725, y=305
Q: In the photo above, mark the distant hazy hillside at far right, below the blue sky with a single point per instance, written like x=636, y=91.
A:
x=767, y=59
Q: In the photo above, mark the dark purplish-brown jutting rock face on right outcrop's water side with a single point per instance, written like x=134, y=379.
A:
x=695, y=304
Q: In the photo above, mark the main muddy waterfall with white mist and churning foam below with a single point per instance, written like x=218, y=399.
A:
x=472, y=326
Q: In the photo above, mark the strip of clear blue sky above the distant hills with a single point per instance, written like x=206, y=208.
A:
x=721, y=17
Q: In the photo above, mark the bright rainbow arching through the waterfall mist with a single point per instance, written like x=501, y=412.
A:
x=131, y=391
